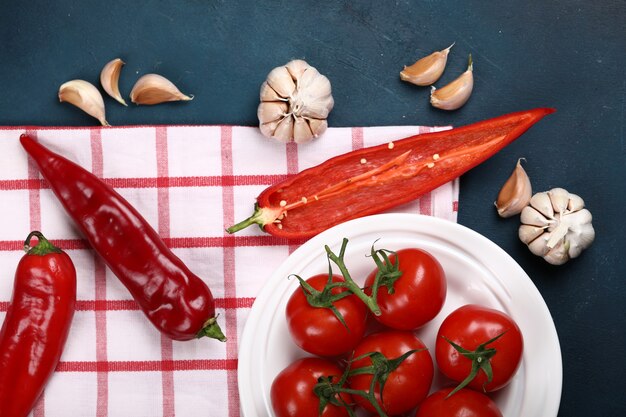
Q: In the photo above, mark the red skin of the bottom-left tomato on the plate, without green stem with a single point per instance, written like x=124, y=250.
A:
x=292, y=390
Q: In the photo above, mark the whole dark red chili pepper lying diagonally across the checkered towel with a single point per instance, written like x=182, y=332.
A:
x=175, y=300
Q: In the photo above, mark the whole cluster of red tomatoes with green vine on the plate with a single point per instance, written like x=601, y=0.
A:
x=380, y=366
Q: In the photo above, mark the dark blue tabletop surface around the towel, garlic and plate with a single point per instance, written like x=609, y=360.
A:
x=565, y=54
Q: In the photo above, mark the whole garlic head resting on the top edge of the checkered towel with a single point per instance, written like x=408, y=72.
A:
x=295, y=102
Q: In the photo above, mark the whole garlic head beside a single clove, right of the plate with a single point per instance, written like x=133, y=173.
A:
x=556, y=226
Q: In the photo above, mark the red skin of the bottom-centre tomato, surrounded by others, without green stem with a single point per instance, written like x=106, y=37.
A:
x=408, y=385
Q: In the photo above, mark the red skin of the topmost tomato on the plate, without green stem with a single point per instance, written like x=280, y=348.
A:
x=418, y=294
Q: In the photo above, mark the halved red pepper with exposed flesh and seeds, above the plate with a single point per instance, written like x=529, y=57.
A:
x=370, y=180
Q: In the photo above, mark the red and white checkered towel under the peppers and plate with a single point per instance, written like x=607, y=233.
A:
x=190, y=183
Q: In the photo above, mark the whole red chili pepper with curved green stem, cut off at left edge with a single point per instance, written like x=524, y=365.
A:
x=36, y=325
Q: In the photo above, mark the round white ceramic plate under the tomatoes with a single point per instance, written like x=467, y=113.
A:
x=477, y=270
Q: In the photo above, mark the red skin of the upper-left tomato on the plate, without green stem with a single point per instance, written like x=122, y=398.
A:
x=317, y=330
